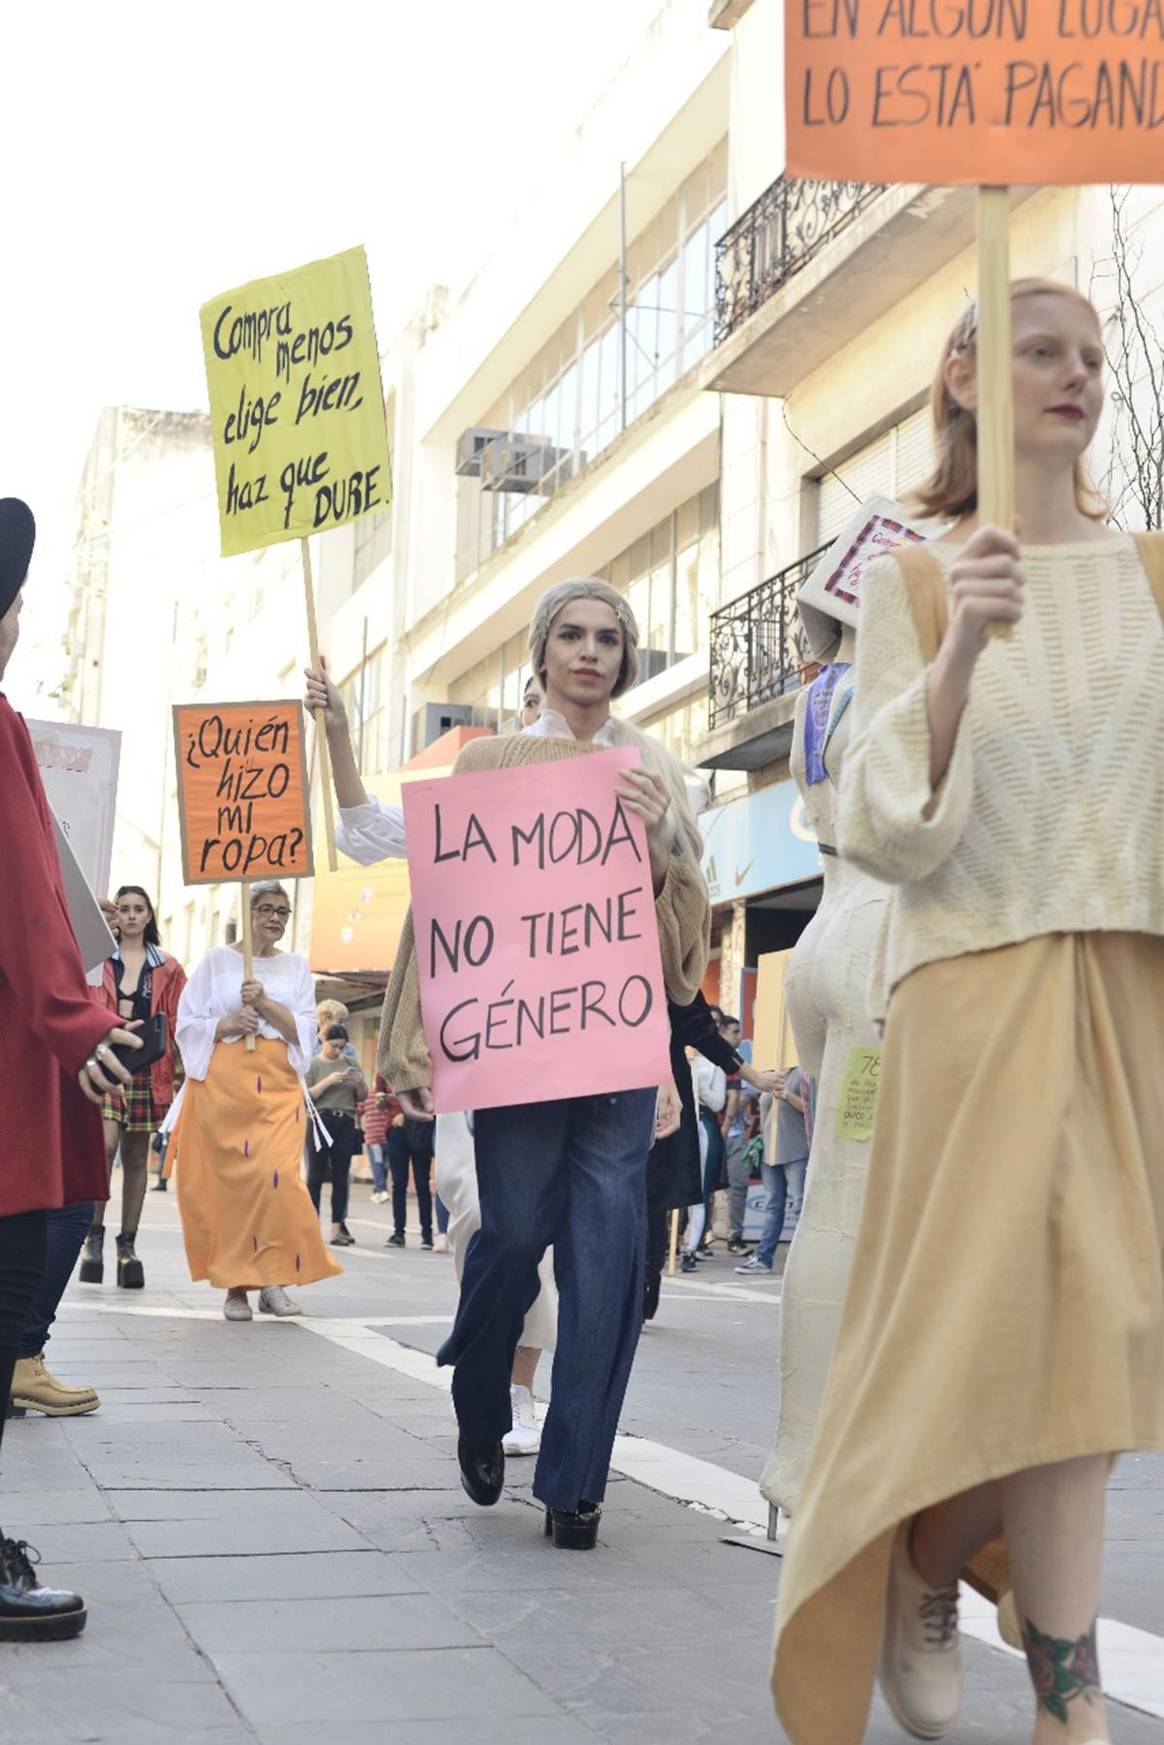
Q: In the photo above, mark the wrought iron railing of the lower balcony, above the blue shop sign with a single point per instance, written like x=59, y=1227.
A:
x=760, y=650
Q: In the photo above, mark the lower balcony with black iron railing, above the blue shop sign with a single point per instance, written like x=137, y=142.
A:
x=760, y=662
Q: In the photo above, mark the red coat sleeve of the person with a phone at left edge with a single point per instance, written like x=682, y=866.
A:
x=39, y=955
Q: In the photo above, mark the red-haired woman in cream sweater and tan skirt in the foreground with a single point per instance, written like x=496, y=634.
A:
x=1003, y=1336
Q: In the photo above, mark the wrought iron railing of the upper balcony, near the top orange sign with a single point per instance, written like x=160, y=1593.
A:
x=776, y=238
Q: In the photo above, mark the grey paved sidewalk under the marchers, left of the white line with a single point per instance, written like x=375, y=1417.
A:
x=275, y=1549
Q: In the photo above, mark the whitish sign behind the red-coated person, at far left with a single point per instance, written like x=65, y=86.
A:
x=79, y=772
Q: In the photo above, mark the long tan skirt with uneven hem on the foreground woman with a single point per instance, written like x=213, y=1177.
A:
x=1006, y=1304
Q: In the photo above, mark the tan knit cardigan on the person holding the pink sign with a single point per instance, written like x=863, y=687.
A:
x=681, y=910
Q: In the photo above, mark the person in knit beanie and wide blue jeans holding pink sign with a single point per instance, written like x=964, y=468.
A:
x=566, y=1174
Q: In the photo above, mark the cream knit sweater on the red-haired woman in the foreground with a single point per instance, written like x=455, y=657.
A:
x=1051, y=814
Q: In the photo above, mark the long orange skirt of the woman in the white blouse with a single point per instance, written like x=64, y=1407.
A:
x=236, y=1147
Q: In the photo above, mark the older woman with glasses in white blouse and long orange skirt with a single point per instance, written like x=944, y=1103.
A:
x=238, y=1126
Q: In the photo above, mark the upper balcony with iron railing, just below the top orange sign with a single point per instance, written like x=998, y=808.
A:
x=814, y=264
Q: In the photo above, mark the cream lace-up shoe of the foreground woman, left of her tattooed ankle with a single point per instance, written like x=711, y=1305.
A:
x=921, y=1659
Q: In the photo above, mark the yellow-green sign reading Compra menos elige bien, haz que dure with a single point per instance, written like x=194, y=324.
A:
x=296, y=404
